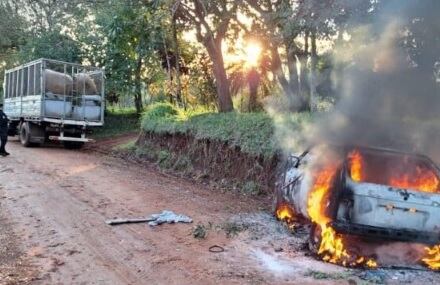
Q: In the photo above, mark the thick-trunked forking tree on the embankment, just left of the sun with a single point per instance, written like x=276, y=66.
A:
x=211, y=20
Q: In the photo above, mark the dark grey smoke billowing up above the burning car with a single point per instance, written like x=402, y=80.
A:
x=389, y=91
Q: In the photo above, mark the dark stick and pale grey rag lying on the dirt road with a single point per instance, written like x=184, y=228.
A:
x=154, y=220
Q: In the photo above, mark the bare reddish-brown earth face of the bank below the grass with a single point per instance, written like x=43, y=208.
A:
x=213, y=160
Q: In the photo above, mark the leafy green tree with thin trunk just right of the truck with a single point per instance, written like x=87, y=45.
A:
x=134, y=41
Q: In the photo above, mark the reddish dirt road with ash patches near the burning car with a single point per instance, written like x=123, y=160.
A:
x=53, y=204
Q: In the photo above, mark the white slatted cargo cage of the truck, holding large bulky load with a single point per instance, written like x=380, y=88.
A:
x=51, y=90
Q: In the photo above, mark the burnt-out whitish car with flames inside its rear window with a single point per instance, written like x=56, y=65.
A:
x=376, y=193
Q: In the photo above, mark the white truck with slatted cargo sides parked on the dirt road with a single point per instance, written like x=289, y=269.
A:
x=51, y=100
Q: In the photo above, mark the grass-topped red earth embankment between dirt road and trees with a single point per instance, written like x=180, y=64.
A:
x=236, y=150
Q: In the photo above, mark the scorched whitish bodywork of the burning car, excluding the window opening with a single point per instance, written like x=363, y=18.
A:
x=370, y=209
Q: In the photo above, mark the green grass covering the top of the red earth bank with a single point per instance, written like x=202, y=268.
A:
x=252, y=133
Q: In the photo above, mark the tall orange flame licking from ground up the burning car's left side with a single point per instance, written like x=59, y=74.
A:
x=332, y=248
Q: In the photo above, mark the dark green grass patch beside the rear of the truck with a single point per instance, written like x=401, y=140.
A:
x=118, y=122
